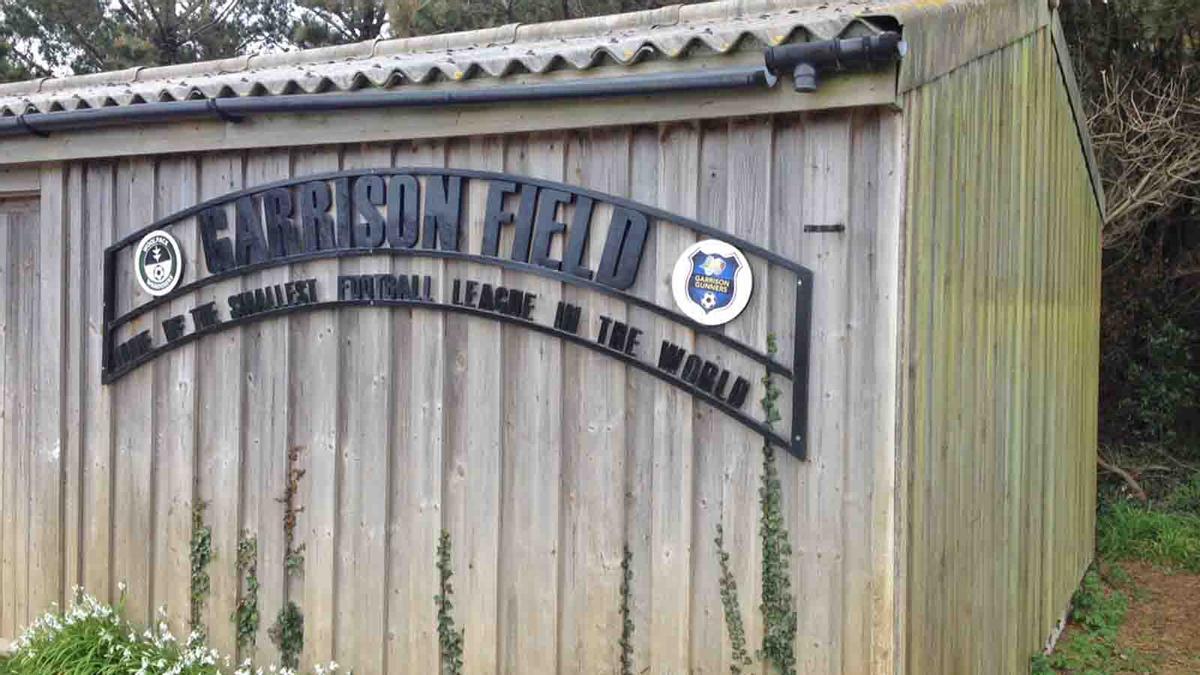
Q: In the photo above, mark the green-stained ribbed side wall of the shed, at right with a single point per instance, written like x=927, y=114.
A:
x=1000, y=362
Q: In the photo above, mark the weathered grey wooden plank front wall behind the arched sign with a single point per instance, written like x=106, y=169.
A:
x=543, y=461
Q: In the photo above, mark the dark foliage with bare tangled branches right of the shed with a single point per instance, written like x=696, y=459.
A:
x=1136, y=62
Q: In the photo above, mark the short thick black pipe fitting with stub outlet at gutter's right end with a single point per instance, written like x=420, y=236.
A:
x=808, y=61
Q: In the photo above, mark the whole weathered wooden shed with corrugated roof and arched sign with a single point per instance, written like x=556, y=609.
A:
x=543, y=295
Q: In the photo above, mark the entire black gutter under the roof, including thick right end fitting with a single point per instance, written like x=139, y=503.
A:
x=803, y=61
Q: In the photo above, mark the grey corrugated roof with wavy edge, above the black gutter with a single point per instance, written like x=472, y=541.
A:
x=671, y=33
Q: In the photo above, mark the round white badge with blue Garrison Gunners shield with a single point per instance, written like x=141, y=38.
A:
x=712, y=283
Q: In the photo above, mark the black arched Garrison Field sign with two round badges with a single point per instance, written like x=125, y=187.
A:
x=525, y=225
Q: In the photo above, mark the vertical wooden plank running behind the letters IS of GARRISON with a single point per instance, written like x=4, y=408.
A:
x=368, y=371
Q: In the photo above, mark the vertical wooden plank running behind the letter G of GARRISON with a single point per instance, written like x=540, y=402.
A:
x=219, y=441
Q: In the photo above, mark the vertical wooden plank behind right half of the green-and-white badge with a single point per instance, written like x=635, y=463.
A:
x=175, y=420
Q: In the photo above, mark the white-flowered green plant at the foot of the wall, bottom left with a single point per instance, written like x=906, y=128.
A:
x=93, y=638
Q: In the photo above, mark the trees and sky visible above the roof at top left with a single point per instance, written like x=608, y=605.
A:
x=41, y=38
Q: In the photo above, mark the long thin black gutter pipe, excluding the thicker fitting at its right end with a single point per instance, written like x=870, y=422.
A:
x=236, y=109
